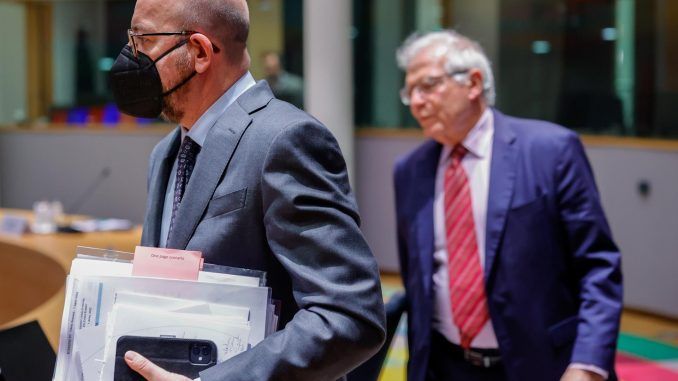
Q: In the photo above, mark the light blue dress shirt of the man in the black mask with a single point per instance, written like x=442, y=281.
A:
x=198, y=133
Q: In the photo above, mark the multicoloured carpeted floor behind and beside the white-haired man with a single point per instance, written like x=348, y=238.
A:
x=647, y=349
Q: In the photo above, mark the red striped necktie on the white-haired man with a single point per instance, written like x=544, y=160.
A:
x=467, y=291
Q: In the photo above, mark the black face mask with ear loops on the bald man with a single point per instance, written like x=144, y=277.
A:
x=136, y=84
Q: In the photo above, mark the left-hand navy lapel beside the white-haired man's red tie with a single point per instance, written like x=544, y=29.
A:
x=426, y=168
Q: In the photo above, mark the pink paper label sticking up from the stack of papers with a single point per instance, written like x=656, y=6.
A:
x=166, y=263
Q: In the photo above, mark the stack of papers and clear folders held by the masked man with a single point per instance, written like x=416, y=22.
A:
x=104, y=302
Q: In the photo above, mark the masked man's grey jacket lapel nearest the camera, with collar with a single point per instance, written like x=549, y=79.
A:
x=216, y=153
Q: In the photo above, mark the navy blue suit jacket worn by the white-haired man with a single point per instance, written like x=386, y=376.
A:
x=552, y=272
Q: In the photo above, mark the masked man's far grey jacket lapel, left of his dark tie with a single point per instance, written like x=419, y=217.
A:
x=158, y=187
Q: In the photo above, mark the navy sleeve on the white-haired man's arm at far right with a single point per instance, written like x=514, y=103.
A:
x=596, y=259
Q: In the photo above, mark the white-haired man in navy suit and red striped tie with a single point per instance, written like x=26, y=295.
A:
x=508, y=262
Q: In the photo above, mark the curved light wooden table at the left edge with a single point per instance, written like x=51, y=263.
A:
x=33, y=269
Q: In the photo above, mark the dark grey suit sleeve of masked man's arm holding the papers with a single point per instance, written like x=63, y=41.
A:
x=311, y=223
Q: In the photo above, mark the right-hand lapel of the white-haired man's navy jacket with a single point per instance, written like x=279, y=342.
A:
x=502, y=181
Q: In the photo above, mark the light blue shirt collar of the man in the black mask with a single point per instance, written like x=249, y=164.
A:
x=202, y=126
